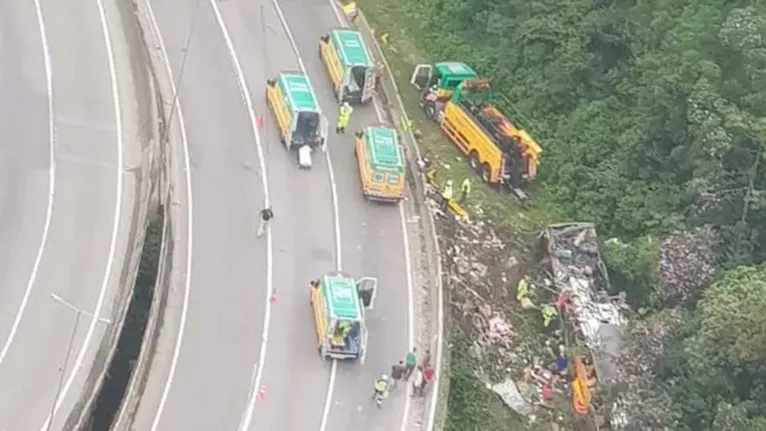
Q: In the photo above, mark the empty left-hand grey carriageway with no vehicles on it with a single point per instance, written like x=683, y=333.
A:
x=63, y=231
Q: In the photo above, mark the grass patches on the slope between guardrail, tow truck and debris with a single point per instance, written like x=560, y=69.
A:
x=471, y=405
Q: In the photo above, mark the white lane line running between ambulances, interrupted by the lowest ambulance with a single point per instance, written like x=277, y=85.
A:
x=336, y=213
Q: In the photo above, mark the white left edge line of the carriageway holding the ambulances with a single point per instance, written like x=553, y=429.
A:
x=189, y=214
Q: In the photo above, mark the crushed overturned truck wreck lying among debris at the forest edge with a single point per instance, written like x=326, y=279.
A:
x=594, y=321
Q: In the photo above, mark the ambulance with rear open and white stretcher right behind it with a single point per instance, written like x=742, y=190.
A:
x=301, y=125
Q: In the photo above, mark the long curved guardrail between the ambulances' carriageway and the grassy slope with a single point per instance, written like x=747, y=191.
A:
x=397, y=113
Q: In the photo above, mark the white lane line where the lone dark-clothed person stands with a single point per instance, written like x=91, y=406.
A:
x=245, y=91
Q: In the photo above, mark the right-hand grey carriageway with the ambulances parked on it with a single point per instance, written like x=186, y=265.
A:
x=233, y=356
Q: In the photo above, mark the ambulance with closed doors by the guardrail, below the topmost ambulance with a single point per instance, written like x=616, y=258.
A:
x=381, y=162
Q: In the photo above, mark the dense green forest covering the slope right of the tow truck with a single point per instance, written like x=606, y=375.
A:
x=652, y=116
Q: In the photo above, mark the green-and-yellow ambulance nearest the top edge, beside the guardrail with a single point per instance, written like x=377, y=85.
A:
x=349, y=65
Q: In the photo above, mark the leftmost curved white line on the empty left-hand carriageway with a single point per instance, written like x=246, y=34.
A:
x=51, y=186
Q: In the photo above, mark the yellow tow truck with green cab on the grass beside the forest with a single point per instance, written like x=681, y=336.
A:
x=455, y=97
